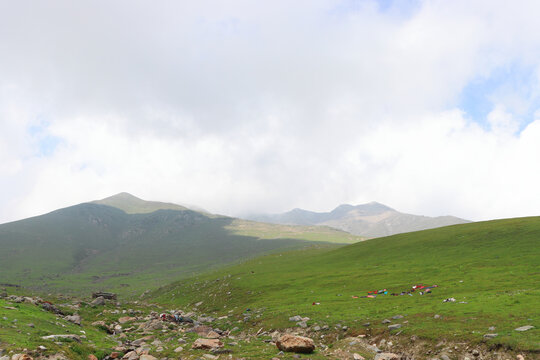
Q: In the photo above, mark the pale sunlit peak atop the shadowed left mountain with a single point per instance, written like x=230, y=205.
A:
x=131, y=204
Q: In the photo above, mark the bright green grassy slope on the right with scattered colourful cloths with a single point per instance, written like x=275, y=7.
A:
x=492, y=266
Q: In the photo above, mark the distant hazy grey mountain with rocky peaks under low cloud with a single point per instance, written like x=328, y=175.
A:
x=368, y=220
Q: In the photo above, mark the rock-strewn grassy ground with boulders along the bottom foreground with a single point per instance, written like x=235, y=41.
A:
x=141, y=331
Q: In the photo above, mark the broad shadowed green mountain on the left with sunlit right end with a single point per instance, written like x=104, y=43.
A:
x=127, y=244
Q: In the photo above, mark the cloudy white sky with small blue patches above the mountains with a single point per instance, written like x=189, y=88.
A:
x=239, y=107
